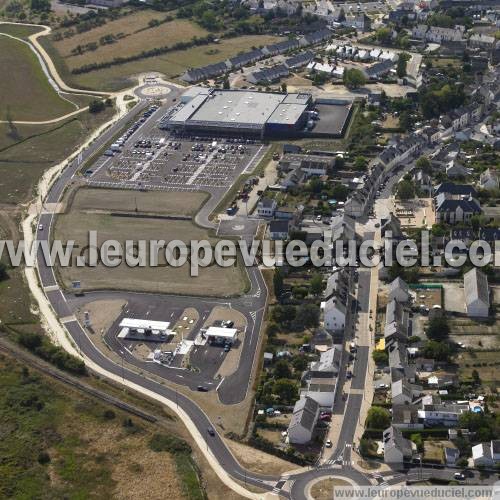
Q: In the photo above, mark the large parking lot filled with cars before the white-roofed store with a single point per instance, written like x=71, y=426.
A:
x=146, y=157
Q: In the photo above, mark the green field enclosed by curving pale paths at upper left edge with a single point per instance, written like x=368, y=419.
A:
x=25, y=93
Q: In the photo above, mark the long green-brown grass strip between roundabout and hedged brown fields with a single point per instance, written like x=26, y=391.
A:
x=172, y=65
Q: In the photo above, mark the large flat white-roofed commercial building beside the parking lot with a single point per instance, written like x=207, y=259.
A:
x=239, y=112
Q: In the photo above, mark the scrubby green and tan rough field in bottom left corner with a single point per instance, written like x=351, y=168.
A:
x=68, y=445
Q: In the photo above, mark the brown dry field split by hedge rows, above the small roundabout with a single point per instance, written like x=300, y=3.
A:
x=134, y=42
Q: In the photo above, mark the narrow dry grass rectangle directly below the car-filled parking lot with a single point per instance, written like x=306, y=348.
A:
x=150, y=202
